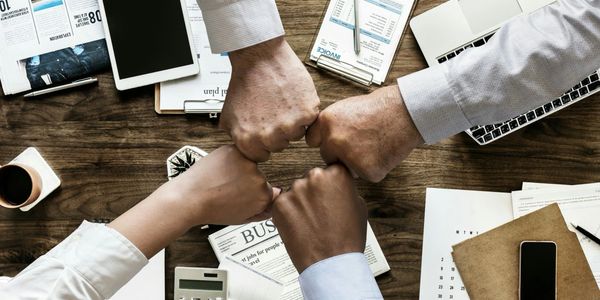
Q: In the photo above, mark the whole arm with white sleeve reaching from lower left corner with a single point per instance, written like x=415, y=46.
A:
x=96, y=260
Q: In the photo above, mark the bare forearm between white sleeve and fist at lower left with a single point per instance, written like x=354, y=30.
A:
x=155, y=222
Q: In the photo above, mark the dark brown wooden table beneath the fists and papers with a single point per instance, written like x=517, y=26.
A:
x=109, y=149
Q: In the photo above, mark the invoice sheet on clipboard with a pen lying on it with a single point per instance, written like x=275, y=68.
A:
x=381, y=23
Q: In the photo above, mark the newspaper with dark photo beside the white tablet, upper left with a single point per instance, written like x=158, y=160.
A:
x=47, y=42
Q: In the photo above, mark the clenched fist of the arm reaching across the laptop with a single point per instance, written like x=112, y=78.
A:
x=370, y=134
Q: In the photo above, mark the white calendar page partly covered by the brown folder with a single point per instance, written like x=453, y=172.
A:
x=452, y=216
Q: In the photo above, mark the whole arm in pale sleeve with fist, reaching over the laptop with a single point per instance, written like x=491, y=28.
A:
x=530, y=61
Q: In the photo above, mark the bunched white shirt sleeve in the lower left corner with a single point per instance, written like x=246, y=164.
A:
x=94, y=262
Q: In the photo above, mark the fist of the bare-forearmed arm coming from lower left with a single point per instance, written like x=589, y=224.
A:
x=223, y=188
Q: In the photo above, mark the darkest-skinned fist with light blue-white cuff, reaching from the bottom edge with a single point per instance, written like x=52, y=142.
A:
x=323, y=224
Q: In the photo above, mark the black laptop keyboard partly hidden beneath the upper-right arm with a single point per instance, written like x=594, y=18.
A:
x=488, y=133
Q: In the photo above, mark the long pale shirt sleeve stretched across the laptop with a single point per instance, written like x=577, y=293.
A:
x=530, y=61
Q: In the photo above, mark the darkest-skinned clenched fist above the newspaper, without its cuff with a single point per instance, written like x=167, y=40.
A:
x=321, y=216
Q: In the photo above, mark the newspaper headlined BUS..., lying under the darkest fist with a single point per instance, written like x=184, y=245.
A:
x=259, y=246
